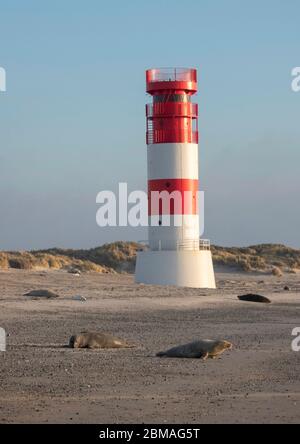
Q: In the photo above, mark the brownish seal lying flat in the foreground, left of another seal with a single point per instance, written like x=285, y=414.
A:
x=97, y=340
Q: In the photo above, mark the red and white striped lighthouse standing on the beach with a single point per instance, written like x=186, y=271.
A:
x=175, y=255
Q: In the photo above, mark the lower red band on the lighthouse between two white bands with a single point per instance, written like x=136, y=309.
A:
x=182, y=201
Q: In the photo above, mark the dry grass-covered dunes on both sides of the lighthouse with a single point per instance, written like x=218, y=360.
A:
x=121, y=256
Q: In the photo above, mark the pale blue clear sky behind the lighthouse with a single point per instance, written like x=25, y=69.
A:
x=72, y=120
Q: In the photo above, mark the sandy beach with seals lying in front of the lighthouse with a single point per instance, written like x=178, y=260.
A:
x=43, y=381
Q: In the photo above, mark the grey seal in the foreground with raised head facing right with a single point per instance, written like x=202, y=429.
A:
x=203, y=349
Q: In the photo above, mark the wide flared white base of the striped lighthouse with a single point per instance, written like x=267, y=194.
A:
x=180, y=268
